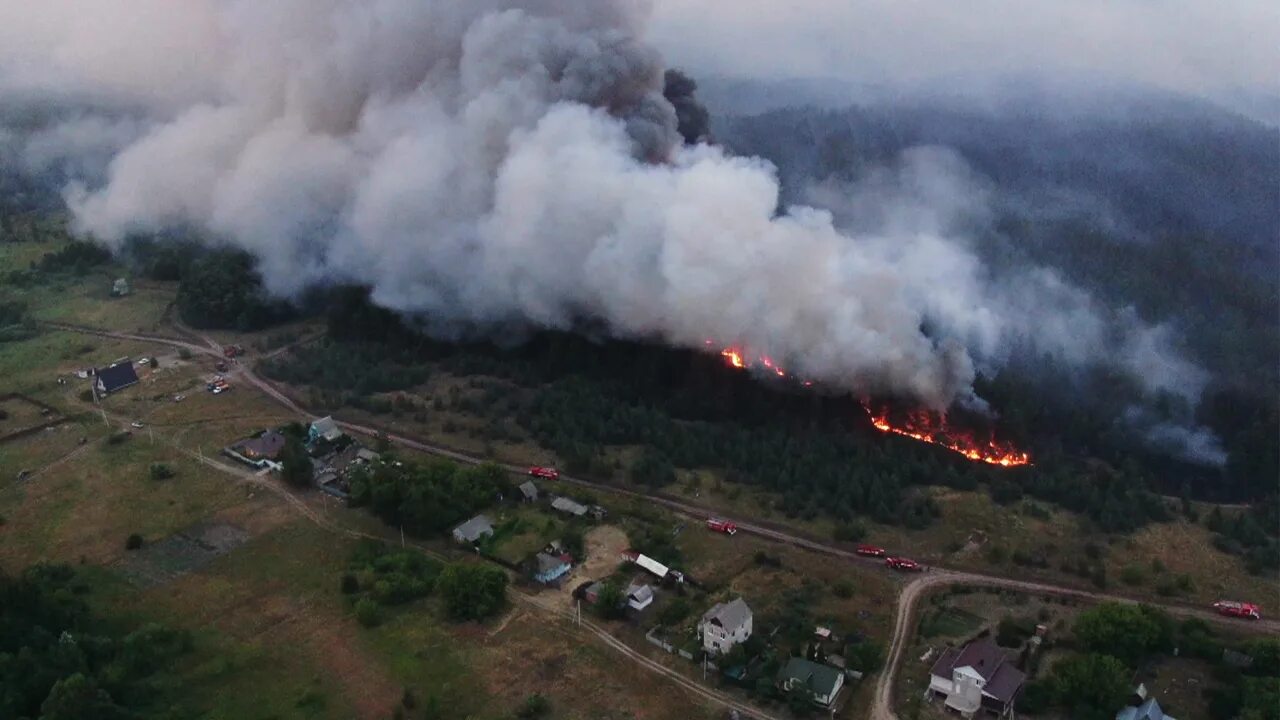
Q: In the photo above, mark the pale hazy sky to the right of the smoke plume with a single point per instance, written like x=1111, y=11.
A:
x=1206, y=48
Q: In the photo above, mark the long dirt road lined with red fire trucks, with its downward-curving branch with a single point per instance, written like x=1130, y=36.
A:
x=912, y=593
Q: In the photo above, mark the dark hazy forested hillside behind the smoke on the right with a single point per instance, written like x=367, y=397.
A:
x=1153, y=203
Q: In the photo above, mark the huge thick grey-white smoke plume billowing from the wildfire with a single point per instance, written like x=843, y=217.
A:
x=502, y=162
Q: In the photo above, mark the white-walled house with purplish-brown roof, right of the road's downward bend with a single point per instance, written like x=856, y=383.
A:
x=977, y=677
